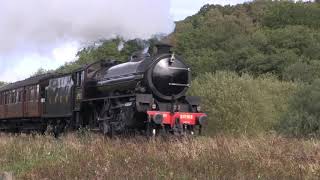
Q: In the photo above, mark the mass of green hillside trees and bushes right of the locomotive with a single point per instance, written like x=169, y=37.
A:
x=258, y=38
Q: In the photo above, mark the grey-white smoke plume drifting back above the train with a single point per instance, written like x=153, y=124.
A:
x=39, y=25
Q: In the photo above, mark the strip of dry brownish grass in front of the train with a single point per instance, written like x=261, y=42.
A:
x=93, y=157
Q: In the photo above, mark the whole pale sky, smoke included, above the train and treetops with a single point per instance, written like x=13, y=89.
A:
x=21, y=55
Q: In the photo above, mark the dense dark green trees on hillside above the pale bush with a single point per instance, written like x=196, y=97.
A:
x=259, y=38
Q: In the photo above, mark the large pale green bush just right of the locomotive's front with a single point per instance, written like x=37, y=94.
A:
x=242, y=105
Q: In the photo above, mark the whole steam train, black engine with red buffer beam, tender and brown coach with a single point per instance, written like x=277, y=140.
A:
x=145, y=95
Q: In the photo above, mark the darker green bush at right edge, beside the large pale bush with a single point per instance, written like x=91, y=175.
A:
x=303, y=116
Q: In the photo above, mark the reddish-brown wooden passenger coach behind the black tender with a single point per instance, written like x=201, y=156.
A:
x=23, y=99
